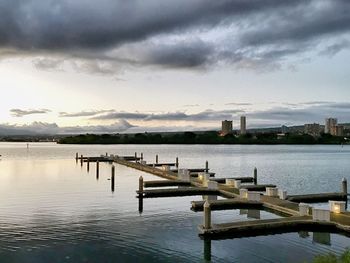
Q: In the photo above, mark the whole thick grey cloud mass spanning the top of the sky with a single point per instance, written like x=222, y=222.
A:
x=116, y=35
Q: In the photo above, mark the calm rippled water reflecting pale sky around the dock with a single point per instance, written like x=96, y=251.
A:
x=53, y=210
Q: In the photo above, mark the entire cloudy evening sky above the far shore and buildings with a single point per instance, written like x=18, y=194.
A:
x=161, y=65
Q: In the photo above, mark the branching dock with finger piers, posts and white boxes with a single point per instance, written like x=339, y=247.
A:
x=296, y=216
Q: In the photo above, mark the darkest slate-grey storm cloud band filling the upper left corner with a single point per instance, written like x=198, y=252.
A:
x=63, y=24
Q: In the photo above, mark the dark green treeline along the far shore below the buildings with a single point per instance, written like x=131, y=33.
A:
x=210, y=137
